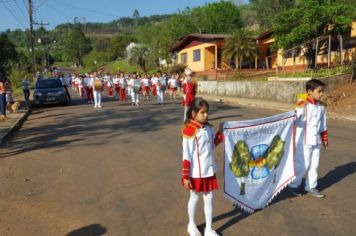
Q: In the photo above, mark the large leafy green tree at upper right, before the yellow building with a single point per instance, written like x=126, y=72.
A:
x=309, y=20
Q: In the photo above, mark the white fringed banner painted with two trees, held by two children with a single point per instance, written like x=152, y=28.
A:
x=259, y=159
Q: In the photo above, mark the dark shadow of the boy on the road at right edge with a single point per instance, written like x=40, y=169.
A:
x=337, y=175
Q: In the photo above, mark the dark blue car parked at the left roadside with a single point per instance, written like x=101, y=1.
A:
x=50, y=91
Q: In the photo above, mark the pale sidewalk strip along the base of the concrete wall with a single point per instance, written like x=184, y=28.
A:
x=249, y=102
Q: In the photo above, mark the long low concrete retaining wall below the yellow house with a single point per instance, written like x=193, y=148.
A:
x=273, y=91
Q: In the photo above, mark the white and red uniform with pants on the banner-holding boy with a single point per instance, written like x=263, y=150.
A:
x=311, y=132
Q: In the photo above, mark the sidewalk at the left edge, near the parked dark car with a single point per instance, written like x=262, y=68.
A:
x=15, y=121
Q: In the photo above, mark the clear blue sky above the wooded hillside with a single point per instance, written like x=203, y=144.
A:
x=14, y=13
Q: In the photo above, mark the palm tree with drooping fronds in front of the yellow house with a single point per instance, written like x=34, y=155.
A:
x=239, y=46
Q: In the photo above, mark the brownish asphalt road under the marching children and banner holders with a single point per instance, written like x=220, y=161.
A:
x=81, y=171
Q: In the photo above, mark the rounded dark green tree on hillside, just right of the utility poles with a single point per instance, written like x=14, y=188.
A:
x=77, y=45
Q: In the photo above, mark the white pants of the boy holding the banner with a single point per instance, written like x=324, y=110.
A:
x=307, y=163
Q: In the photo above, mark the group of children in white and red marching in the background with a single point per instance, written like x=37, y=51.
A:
x=139, y=87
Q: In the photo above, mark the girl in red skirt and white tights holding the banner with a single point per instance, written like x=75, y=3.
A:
x=198, y=172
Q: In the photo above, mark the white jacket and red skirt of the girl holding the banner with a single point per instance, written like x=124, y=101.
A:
x=198, y=156
